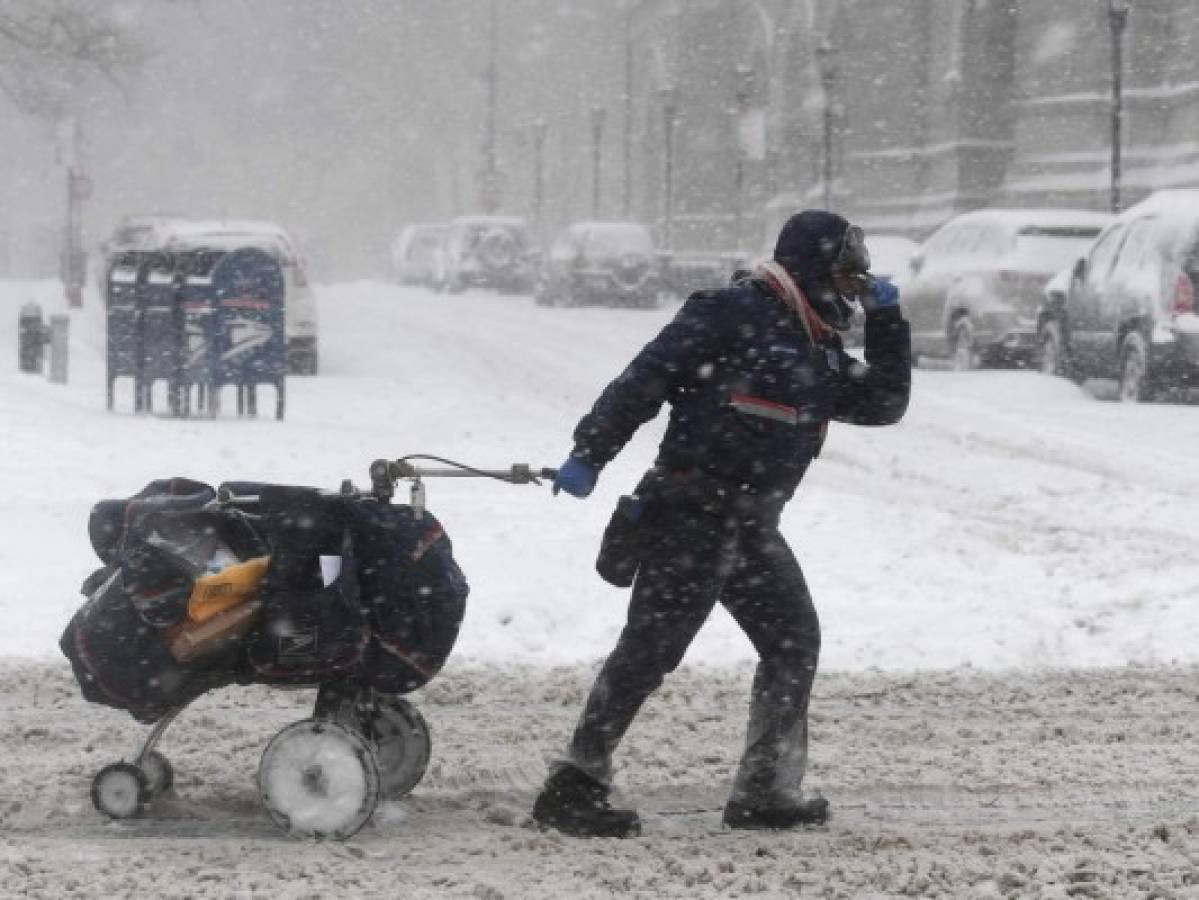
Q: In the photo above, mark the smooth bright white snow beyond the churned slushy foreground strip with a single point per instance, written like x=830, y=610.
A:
x=1010, y=521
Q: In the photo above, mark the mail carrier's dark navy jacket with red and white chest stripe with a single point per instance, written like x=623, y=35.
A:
x=751, y=397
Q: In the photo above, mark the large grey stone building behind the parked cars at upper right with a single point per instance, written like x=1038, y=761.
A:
x=929, y=107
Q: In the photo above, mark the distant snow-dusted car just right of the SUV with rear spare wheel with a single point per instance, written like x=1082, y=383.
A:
x=611, y=263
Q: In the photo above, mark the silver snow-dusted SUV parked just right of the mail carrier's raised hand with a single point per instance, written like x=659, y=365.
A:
x=974, y=288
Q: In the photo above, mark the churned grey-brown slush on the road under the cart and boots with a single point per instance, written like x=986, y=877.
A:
x=945, y=786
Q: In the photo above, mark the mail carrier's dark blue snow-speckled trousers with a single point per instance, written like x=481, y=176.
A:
x=694, y=561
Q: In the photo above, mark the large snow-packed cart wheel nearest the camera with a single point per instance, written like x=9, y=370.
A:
x=320, y=780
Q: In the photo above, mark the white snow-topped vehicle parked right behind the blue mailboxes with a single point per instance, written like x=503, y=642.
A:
x=302, y=322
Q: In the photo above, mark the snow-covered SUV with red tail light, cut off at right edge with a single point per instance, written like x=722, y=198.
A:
x=1128, y=307
